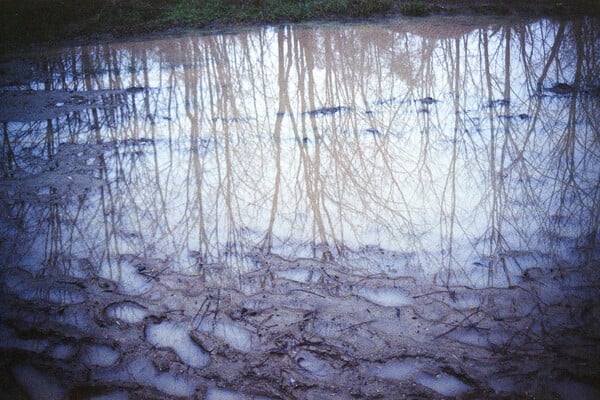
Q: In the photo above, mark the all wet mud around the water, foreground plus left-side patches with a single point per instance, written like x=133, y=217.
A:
x=282, y=328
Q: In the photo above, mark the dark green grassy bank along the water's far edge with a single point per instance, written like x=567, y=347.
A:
x=31, y=21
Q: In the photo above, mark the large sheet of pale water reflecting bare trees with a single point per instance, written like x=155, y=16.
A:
x=473, y=150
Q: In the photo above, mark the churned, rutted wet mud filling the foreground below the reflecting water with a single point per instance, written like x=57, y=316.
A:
x=300, y=329
